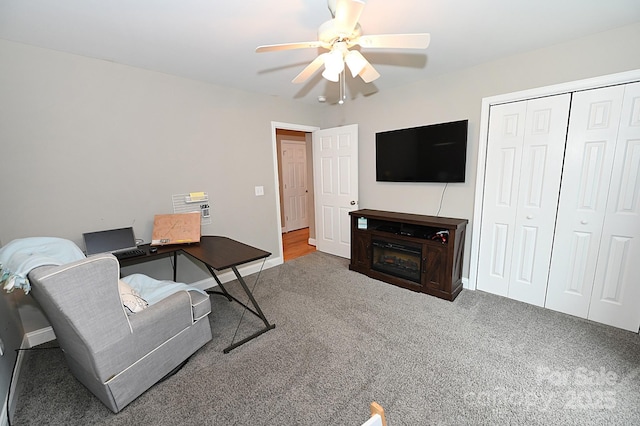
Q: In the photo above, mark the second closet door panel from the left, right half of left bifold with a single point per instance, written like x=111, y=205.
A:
x=540, y=172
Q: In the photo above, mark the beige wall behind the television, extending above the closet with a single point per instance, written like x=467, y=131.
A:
x=459, y=96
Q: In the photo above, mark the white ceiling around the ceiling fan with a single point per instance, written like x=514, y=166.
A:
x=215, y=40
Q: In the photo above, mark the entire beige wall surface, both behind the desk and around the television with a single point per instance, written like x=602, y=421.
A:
x=89, y=144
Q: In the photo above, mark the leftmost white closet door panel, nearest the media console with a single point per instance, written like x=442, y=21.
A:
x=504, y=156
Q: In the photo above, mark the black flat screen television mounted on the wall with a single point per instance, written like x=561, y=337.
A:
x=433, y=153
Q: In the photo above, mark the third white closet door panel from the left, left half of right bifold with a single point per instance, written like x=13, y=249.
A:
x=591, y=143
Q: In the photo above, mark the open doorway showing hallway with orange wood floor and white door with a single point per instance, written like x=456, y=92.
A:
x=295, y=177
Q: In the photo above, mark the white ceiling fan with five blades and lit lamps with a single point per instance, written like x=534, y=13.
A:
x=338, y=36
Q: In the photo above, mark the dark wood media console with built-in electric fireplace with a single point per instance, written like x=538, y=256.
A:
x=420, y=253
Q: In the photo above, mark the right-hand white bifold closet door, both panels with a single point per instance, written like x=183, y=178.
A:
x=595, y=267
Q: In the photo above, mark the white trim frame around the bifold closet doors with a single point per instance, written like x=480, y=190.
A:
x=487, y=103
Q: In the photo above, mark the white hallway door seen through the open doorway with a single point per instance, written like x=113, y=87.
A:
x=295, y=191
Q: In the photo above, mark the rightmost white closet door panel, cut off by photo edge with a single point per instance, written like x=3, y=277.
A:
x=616, y=292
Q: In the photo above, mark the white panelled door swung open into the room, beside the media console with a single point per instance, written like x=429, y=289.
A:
x=335, y=172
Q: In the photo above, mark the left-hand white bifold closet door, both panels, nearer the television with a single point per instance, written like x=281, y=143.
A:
x=522, y=182
